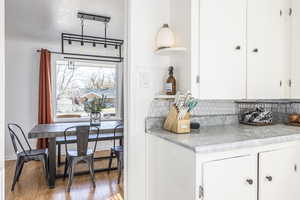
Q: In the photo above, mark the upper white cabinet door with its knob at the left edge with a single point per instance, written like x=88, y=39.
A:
x=268, y=48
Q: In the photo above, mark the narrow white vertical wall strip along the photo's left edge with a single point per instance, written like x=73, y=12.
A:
x=2, y=70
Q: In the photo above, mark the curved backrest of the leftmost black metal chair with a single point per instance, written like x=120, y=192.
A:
x=14, y=131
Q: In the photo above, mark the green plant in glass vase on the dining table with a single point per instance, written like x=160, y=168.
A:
x=94, y=108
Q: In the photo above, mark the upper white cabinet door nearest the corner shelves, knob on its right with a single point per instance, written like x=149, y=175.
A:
x=222, y=49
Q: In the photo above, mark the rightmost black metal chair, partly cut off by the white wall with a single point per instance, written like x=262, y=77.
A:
x=117, y=151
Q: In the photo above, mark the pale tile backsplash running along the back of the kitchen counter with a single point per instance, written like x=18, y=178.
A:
x=219, y=112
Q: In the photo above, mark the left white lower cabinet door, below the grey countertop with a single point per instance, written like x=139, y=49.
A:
x=231, y=179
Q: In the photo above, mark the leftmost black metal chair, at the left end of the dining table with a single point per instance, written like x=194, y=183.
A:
x=24, y=155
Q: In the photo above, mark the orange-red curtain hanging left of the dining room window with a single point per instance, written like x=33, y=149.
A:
x=45, y=94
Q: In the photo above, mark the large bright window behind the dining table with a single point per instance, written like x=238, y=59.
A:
x=77, y=82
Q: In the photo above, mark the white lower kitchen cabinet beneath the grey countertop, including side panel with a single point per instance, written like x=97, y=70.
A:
x=260, y=173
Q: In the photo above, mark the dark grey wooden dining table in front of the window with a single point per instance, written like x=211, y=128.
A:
x=55, y=130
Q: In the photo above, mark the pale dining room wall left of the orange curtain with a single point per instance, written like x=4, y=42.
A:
x=22, y=83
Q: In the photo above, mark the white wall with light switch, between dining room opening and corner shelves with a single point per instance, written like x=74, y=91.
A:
x=145, y=19
